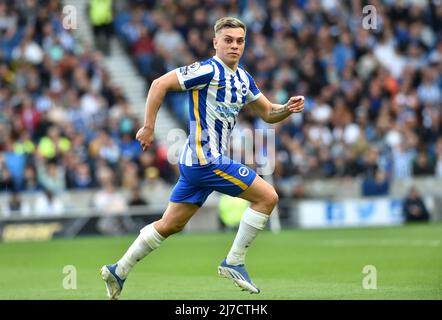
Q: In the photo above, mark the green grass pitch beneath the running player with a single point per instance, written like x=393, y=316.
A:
x=294, y=264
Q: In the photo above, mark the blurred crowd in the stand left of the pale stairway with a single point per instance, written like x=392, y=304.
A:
x=63, y=124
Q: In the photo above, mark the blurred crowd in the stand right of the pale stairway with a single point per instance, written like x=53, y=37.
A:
x=373, y=93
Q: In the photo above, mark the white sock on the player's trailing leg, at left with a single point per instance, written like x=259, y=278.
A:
x=148, y=240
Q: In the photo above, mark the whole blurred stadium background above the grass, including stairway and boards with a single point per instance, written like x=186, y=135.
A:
x=74, y=77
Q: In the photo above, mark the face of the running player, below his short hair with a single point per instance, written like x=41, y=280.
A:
x=229, y=45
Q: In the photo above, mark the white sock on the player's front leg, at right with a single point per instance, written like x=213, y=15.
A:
x=251, y=222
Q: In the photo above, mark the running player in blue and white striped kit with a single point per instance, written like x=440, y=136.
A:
x=218, y=89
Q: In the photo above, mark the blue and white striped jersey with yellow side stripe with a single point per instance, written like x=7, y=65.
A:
x=216, y=95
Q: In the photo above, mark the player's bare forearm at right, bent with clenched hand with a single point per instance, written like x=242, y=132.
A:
x=273, y=113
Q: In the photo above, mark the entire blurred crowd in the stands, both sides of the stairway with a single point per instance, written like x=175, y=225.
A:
x=373, y=94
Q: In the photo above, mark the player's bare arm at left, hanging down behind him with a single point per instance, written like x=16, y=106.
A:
x=155, y=97
